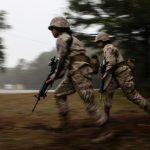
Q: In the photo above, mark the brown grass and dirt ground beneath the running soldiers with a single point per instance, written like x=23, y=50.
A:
x=20, y=129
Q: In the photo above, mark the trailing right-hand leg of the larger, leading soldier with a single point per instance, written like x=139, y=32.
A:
x=84, y=88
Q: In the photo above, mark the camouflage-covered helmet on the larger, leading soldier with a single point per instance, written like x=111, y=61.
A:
x=59, y=22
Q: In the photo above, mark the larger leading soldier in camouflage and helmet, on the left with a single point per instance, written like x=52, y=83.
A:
x=74, y=64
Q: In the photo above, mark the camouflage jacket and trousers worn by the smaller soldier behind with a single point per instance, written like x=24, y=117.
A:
x=122, y=76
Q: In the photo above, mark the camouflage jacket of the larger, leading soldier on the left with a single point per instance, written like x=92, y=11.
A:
x=76, y=48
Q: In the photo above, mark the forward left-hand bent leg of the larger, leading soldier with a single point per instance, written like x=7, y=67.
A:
x=65, y=88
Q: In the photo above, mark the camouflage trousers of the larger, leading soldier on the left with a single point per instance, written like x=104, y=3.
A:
x=83, y=86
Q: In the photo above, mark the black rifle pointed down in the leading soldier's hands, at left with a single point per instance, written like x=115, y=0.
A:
x=44, y=88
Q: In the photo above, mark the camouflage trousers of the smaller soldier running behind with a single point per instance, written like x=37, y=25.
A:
x=123, y=78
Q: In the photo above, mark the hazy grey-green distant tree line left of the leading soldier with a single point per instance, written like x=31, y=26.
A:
x=30, y=75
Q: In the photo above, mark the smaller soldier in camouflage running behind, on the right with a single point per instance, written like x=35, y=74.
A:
x=116, y=73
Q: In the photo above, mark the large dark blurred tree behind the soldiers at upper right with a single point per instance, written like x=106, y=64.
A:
x=127, y=21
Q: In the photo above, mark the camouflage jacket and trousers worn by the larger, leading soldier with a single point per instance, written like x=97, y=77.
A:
x=77, y=77
